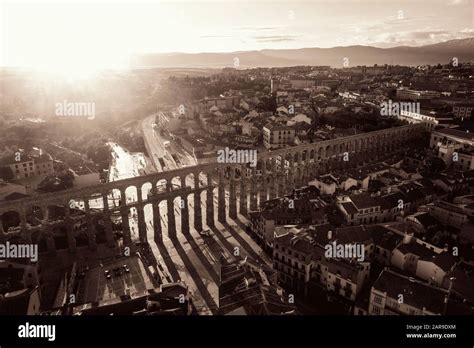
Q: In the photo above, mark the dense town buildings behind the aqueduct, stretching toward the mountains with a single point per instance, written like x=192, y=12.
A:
x=285, y=112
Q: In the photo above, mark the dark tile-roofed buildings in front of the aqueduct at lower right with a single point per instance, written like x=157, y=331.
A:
x=415, y=225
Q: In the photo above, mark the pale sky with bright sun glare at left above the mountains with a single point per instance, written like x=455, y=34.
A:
x=67, y=35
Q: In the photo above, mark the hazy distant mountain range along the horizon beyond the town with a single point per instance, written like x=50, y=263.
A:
x=442, y=53
